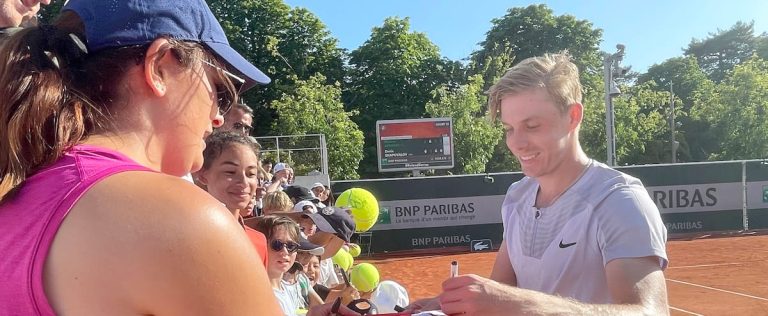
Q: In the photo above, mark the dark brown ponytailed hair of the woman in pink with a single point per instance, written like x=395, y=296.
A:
x=54, y=94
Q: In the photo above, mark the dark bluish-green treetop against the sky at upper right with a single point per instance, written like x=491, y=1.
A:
x=723, y=50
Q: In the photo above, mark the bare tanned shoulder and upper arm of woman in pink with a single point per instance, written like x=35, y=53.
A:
x=155, y=235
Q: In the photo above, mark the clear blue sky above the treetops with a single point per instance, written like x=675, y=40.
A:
x=652, y=30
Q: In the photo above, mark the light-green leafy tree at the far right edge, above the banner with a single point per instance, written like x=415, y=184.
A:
x=738, y=112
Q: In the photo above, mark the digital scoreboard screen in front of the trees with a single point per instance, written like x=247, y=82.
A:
x=415, y=144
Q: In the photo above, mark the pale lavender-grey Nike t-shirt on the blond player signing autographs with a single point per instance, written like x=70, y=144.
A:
x=563, y=249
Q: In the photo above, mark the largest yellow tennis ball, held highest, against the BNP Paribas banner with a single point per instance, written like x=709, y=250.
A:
x=363, y=206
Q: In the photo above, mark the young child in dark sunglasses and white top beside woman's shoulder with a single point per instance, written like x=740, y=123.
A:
x=283, y=239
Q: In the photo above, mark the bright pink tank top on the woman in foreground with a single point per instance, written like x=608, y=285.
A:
x=29, y=222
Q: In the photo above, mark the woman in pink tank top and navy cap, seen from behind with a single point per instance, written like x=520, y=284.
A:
x=100, y=114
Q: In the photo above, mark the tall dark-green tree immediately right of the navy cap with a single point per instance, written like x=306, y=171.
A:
x=287, y=44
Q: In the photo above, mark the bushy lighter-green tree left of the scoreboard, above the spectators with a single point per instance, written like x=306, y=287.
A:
x=316, y=108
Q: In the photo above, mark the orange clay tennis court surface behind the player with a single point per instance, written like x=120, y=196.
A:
x=706, y=276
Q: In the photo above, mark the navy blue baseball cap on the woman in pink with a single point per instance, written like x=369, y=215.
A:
x=116, y=23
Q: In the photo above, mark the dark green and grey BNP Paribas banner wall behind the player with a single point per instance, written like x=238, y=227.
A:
x=454, y=211
